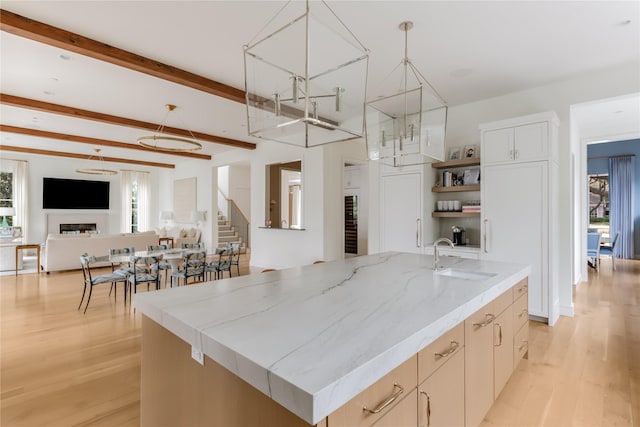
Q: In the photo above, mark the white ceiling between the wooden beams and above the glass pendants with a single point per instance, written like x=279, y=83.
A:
x=468, y=51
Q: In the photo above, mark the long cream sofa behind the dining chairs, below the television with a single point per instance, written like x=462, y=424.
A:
x=62, y=251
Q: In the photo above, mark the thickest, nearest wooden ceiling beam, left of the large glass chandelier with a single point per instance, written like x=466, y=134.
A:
x=58, y=37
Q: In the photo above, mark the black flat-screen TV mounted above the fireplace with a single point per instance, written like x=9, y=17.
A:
x=60, y=193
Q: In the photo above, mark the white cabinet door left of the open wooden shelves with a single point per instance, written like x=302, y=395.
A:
x=401, y=212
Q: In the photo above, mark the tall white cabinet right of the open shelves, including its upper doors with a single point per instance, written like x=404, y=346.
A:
x=519, y=217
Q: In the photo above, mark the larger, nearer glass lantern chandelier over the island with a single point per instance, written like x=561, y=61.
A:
x=298, y=99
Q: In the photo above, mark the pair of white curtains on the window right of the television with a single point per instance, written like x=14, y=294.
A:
x=127, y=179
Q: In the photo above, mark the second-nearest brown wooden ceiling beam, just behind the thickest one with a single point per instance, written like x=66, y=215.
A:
x=47, y=107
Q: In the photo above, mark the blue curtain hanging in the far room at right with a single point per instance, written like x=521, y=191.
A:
x=621, y=204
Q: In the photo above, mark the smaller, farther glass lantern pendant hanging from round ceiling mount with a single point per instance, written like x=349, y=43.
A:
x=409, y=126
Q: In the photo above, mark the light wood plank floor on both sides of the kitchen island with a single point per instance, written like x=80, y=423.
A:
x=62, y=368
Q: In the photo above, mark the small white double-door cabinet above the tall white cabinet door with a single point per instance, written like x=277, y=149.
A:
x=517, y=143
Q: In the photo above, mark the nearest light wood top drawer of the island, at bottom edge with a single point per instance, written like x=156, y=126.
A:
x=398, y=383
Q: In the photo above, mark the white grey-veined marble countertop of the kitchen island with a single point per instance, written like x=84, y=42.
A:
x=313, y=337
